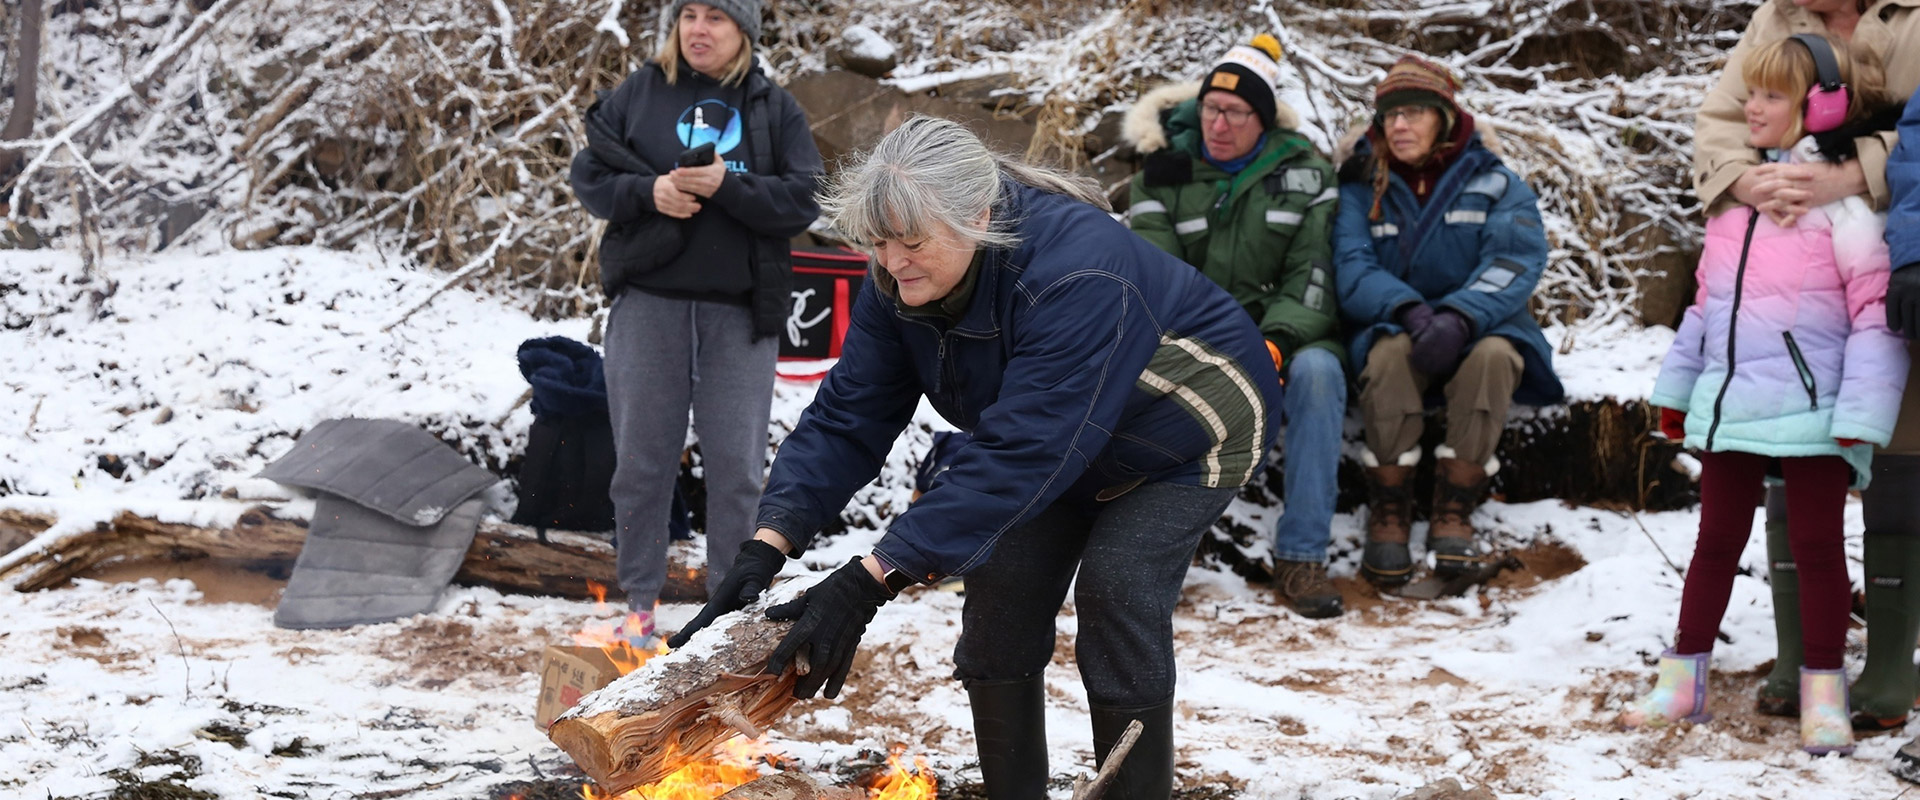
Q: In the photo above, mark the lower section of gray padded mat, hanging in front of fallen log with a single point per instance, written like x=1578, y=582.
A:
x=362, y=567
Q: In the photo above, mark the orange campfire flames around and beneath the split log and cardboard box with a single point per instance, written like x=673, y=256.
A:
x=736, y=763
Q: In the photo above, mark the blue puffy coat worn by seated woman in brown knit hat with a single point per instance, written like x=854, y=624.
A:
x=1476, y=247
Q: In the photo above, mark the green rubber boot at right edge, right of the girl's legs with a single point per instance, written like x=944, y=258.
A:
x=1886, y=690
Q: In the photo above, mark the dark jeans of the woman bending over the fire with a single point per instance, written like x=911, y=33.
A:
x=1130, y=555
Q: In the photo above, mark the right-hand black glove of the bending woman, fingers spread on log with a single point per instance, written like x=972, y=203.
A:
x=832, y=617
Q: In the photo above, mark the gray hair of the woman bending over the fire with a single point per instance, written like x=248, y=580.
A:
x=936, y=174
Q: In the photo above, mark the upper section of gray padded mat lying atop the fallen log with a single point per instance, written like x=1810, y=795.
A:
x=383, y=465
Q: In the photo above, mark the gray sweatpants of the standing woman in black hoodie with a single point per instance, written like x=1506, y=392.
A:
x=663, y=360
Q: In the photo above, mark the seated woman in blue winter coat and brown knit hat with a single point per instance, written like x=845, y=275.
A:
x=1437, y=250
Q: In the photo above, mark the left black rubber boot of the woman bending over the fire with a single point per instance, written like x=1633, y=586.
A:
x=1011, y=734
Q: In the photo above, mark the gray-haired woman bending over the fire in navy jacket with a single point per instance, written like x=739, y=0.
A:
x=1116, y=400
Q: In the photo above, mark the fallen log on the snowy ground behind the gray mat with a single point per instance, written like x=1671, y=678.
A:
x=504, y=557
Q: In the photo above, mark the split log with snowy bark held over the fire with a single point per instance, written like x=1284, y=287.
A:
x=675, y=709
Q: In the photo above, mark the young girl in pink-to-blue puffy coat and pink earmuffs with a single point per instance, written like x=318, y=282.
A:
x=1783, y=365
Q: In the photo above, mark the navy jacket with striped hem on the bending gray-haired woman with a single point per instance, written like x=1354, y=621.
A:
x=1086, y=365
